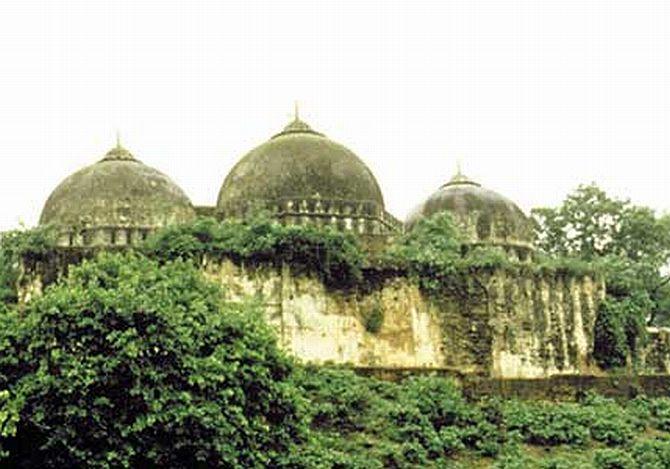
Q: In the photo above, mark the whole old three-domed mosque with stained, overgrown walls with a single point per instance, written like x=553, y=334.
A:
x=528, y=324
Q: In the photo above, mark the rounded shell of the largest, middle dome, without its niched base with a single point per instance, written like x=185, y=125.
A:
x=298, y=163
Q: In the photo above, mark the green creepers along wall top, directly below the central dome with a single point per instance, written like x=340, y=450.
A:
x=335, y=256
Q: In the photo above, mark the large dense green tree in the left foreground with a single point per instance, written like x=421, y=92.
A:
x=130, y=363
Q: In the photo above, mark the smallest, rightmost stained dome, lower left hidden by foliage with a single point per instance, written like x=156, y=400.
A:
x=485, y=216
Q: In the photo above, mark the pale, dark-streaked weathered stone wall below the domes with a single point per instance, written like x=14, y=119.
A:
x=520, y=327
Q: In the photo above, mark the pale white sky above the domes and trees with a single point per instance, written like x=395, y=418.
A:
x=533, y=96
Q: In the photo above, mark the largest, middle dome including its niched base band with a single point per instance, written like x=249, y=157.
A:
x=303, y=177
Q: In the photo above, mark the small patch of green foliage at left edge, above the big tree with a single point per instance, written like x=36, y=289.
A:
x=14, y=245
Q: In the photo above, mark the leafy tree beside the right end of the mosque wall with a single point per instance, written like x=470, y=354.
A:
x=630, y=244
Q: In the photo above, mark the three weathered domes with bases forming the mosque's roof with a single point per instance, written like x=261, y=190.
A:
x=299, y=176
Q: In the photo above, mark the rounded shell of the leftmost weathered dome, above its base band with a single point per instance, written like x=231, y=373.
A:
x=117, y=191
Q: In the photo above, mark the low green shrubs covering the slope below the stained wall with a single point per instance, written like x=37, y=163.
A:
x=359, y=422
